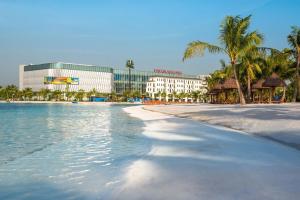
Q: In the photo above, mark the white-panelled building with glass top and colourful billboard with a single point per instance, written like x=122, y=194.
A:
x=66, y=76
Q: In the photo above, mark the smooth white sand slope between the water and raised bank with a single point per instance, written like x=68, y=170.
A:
x=193, y=160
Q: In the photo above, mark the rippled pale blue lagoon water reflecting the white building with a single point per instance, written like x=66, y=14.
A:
x=72, y=151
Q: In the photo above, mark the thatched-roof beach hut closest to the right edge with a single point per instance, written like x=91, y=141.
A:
x=273, y=82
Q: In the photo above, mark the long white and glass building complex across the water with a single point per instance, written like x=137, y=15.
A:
x=73, y=77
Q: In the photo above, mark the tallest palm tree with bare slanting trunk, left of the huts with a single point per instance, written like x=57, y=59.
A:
x=235, y=40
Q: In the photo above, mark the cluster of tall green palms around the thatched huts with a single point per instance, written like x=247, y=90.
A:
x=249, y=61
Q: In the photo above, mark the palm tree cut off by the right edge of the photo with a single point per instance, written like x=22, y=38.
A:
x=294, y=42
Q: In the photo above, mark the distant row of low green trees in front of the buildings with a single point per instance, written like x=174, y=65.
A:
x=12, y=93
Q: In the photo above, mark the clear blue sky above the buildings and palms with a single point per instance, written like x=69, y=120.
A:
x=154, y=33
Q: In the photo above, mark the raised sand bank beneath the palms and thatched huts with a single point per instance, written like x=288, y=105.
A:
x=276, y=122
